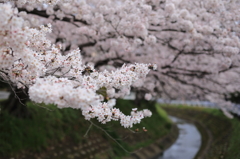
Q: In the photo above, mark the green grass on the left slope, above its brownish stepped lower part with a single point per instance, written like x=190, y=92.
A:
x=51, y=126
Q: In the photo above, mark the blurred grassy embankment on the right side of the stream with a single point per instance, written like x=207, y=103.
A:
x=221, y=135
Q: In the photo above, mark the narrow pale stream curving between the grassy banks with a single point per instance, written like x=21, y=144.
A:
x=187, y=144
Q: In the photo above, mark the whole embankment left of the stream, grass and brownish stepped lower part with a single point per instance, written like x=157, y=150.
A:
x=61, y=133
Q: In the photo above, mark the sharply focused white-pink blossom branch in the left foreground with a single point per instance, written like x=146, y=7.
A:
x=29, y=59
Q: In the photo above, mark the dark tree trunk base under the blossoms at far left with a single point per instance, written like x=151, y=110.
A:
x=16, y=103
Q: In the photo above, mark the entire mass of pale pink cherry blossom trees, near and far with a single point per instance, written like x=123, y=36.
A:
x=195, y=45
